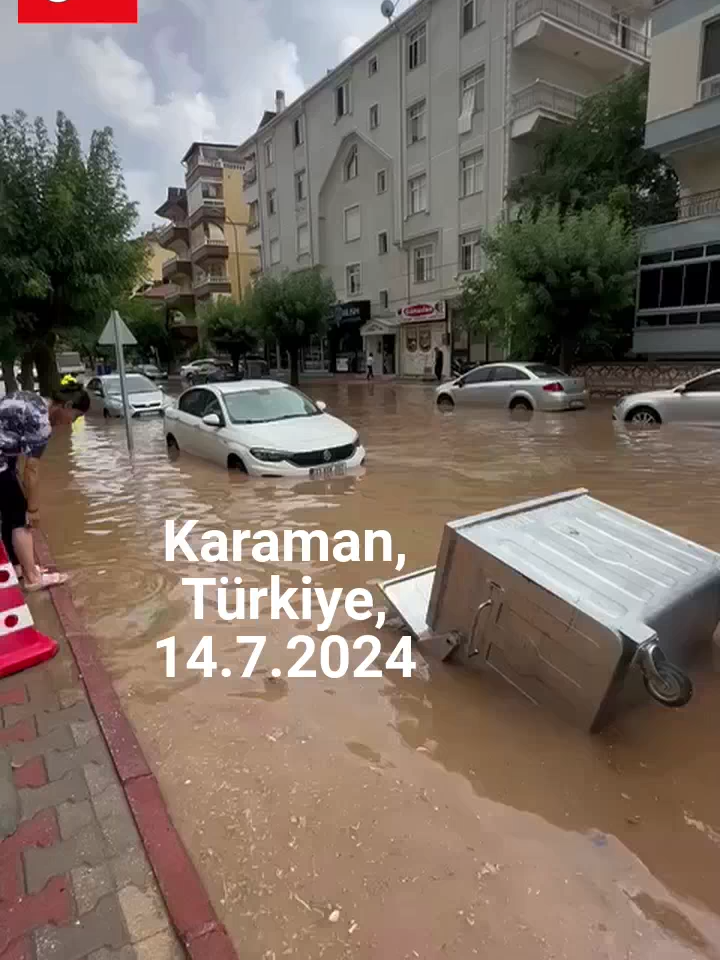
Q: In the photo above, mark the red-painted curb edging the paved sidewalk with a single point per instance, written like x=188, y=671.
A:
x=188, y=905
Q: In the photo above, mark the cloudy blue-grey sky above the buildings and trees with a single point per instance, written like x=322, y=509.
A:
x=191, y=70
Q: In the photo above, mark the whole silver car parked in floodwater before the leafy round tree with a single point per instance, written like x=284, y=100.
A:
x=515, y=386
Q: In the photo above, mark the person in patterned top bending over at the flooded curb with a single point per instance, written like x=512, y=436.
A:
x=26, y=423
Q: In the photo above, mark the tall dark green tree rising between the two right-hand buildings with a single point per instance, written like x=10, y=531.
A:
x=601, y=159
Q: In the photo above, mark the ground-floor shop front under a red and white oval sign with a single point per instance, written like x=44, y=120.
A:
x=423, y=330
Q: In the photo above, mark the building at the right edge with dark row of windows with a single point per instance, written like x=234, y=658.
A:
x=678, y=307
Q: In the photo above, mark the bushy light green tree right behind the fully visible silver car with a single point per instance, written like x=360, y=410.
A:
x=555, y=284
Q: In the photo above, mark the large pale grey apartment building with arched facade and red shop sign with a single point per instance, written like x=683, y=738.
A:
x=385, y=171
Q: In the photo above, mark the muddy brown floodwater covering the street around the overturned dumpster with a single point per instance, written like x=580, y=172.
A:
x=391, y=818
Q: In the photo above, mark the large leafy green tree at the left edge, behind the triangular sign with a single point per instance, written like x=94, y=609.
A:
x=66, y=253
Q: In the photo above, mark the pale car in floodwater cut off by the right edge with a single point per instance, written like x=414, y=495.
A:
x=697, y=401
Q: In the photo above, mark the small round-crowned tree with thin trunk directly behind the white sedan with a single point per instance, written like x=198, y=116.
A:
x=291, y=309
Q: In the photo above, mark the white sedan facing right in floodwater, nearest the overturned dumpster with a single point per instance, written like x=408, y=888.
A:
x=264, y=428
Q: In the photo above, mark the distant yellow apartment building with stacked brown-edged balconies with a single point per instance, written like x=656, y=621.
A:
x=207, y=232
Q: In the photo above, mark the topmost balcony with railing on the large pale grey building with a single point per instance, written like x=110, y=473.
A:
x=568, y=28
